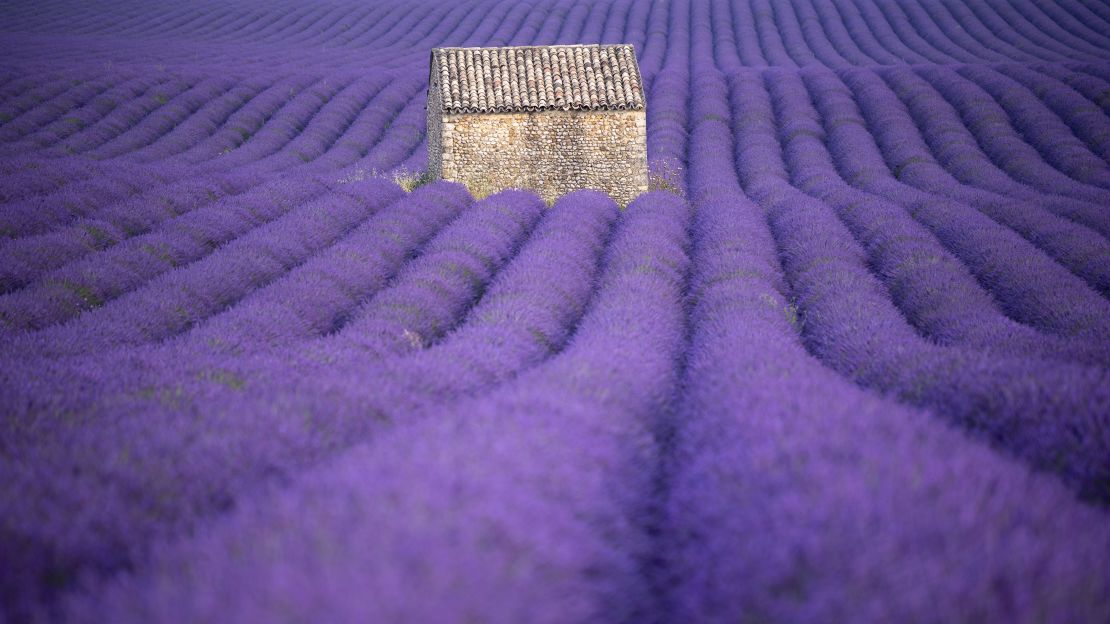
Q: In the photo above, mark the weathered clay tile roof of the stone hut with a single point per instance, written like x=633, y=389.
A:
x=538, y=78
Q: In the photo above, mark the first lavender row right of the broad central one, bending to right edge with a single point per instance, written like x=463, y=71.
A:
x=851, y=324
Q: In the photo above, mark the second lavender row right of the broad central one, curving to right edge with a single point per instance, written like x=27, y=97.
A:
x=932, y=288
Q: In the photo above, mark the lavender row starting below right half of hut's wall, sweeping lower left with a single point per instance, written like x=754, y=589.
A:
x=529, y=311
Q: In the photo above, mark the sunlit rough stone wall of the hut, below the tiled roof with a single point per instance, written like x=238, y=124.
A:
x=551, y=153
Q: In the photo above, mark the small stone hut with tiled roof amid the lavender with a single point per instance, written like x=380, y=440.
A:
x=549, y=118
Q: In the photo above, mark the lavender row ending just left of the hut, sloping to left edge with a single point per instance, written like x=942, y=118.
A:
x=183, y=297
